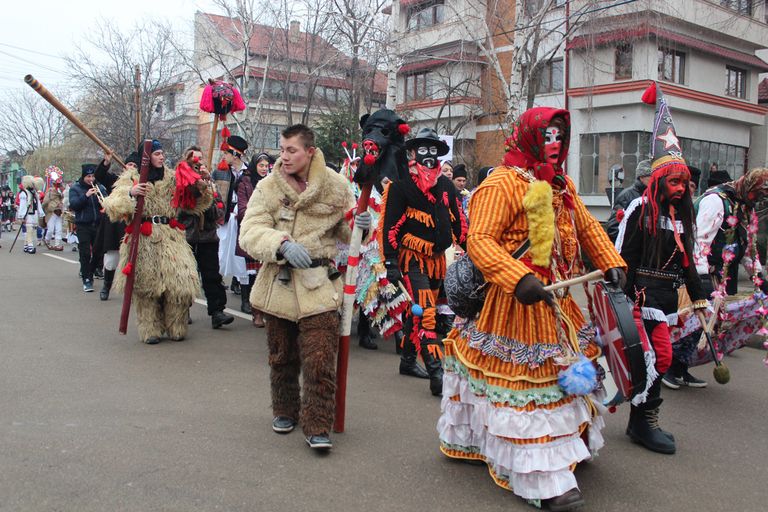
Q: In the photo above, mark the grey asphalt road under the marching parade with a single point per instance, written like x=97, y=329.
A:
x=95, y=421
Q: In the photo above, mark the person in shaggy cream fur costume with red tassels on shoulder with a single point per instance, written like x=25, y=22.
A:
x=166, y=280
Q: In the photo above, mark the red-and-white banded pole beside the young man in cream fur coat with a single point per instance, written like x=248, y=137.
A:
x=347, y=310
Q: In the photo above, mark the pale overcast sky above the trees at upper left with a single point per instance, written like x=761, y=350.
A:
x=35, y=35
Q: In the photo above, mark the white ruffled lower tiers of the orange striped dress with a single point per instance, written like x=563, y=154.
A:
x=475, y=428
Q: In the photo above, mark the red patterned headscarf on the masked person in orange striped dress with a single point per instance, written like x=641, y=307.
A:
x=525, y=147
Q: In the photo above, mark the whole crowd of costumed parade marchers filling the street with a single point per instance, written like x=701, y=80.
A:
x=505, y=372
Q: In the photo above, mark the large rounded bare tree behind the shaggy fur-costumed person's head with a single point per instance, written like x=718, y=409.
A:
x=103, y=69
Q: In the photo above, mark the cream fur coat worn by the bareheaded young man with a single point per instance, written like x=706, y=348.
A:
x=316, y=219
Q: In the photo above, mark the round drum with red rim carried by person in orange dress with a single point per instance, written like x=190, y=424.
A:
x=624, y=345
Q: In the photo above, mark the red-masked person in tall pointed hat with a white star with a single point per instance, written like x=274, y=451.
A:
x=656, y=238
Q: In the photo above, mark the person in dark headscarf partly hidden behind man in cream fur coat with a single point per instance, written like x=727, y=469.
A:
x=255, y=171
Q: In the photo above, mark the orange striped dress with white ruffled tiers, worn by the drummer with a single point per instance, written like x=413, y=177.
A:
x=501, y=400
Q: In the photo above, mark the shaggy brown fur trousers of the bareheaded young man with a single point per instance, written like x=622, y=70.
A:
x=308, y=347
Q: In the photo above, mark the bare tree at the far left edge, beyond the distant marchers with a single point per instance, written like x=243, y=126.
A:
x=27, y=122
